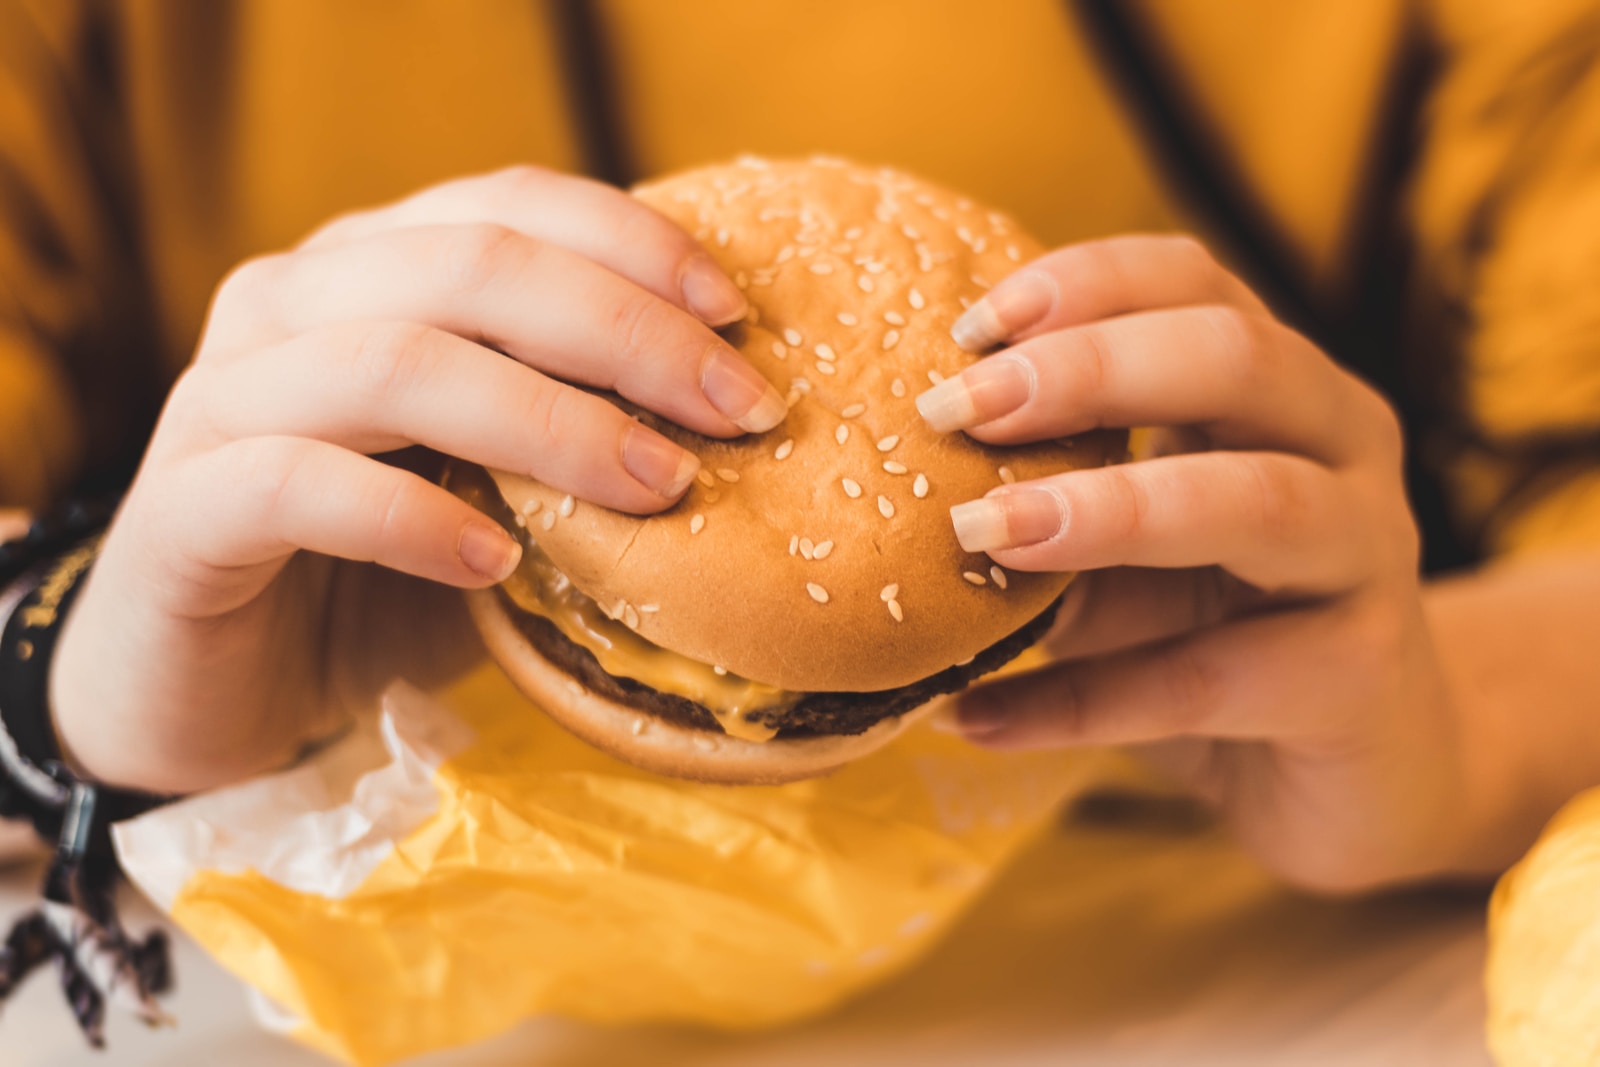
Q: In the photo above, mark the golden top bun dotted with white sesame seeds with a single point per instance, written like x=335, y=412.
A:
x=820, y=556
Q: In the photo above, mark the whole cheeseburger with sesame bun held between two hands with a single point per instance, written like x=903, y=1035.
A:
x=807, y=597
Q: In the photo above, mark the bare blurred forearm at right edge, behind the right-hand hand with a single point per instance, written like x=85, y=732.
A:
x=1516, y=647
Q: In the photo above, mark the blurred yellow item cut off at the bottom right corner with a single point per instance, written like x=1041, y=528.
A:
x=1545, y=948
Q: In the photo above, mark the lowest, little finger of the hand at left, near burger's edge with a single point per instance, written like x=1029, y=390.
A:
x=244, y=510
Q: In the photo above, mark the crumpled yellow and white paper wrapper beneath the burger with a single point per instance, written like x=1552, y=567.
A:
x=466, y=865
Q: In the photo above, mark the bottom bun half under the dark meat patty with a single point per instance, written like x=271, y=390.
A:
x=655, y=745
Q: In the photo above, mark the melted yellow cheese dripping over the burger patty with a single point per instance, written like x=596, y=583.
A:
x=542, y=589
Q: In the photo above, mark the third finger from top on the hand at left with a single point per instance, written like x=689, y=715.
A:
x=375, y=388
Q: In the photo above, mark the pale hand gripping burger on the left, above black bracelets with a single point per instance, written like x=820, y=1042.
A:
x=236, y=613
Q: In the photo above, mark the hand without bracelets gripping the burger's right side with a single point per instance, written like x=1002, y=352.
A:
x=1250, y=612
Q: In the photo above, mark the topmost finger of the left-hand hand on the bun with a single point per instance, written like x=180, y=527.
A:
x=594, y=220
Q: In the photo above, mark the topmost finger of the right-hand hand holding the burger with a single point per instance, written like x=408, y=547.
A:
x=1100, y=279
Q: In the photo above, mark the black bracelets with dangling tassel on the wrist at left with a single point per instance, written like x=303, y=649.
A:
x=41, y=573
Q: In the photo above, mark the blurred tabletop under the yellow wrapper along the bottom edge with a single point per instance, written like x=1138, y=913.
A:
x=1138, y=945
